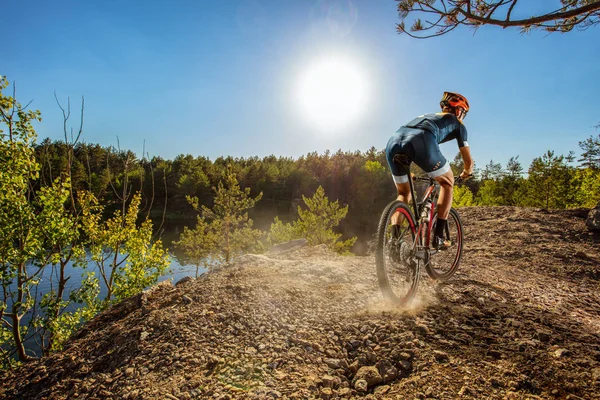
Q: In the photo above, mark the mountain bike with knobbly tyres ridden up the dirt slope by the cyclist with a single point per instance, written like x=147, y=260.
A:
x=405, y=244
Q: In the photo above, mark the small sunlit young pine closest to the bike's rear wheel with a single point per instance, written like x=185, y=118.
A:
x=315, y=224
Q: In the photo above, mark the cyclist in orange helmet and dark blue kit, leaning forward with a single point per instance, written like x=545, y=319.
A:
x=418, y=141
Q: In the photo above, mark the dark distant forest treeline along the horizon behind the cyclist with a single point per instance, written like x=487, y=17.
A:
x=358, y=179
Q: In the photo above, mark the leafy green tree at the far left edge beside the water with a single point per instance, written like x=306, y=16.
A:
x=36, y=230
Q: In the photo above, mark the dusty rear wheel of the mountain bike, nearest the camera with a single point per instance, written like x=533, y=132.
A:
x=397, y=268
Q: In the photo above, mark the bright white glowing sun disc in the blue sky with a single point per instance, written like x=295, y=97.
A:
x=332, y=93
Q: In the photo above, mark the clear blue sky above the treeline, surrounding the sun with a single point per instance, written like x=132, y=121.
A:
x=220, y=77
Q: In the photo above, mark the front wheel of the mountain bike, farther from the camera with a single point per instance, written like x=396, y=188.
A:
x=441, y=265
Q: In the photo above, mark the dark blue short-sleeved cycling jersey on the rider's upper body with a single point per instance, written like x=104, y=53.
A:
x=445, y=127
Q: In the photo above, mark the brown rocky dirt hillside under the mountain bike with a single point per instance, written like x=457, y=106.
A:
x=520, y=320
